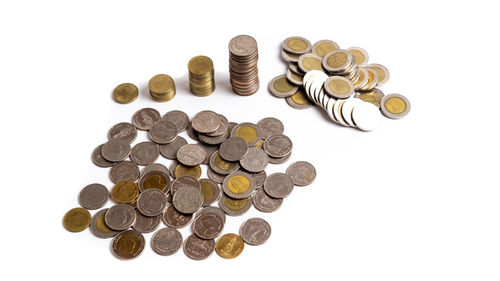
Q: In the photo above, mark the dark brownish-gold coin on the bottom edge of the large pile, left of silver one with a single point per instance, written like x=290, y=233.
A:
x=128, y=244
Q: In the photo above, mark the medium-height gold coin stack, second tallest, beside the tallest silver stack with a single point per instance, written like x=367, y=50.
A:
x=201, y=76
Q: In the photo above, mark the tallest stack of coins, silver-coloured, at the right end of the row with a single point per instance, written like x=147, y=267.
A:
x=243, y=56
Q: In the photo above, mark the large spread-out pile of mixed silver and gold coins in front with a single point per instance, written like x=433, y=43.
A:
x=236, y=155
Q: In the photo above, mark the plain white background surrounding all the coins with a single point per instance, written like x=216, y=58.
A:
x=416, y=199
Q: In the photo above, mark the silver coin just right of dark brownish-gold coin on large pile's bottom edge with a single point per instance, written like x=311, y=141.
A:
x=166, y=241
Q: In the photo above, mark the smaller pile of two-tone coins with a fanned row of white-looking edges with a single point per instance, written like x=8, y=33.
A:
x=340, y=81
